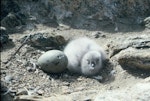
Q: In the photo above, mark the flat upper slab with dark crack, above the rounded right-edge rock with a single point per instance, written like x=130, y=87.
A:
x=138, y=42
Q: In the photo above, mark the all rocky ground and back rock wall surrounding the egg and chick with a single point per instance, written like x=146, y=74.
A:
x=30, y=28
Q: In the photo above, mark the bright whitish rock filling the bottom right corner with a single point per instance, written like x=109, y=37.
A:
x=139, y=92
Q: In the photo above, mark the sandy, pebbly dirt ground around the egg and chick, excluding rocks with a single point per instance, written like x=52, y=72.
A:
x=112, y=76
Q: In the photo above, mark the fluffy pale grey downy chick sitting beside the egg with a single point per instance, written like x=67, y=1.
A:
x=85, y=56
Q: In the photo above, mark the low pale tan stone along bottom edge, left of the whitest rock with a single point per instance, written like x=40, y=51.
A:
x=76, y=96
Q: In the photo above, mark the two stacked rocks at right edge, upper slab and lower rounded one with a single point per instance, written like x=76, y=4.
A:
x=133, y=51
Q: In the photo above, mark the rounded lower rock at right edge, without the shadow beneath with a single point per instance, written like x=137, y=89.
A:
x=136, y=58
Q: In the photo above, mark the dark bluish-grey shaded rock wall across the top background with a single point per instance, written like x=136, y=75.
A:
x=79, y=12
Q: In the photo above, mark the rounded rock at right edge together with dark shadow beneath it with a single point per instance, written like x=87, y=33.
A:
x=135, y=61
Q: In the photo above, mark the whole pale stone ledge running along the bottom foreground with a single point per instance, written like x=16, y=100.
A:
x=138, y=92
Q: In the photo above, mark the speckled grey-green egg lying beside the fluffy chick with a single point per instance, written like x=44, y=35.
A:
x=53, y=61
